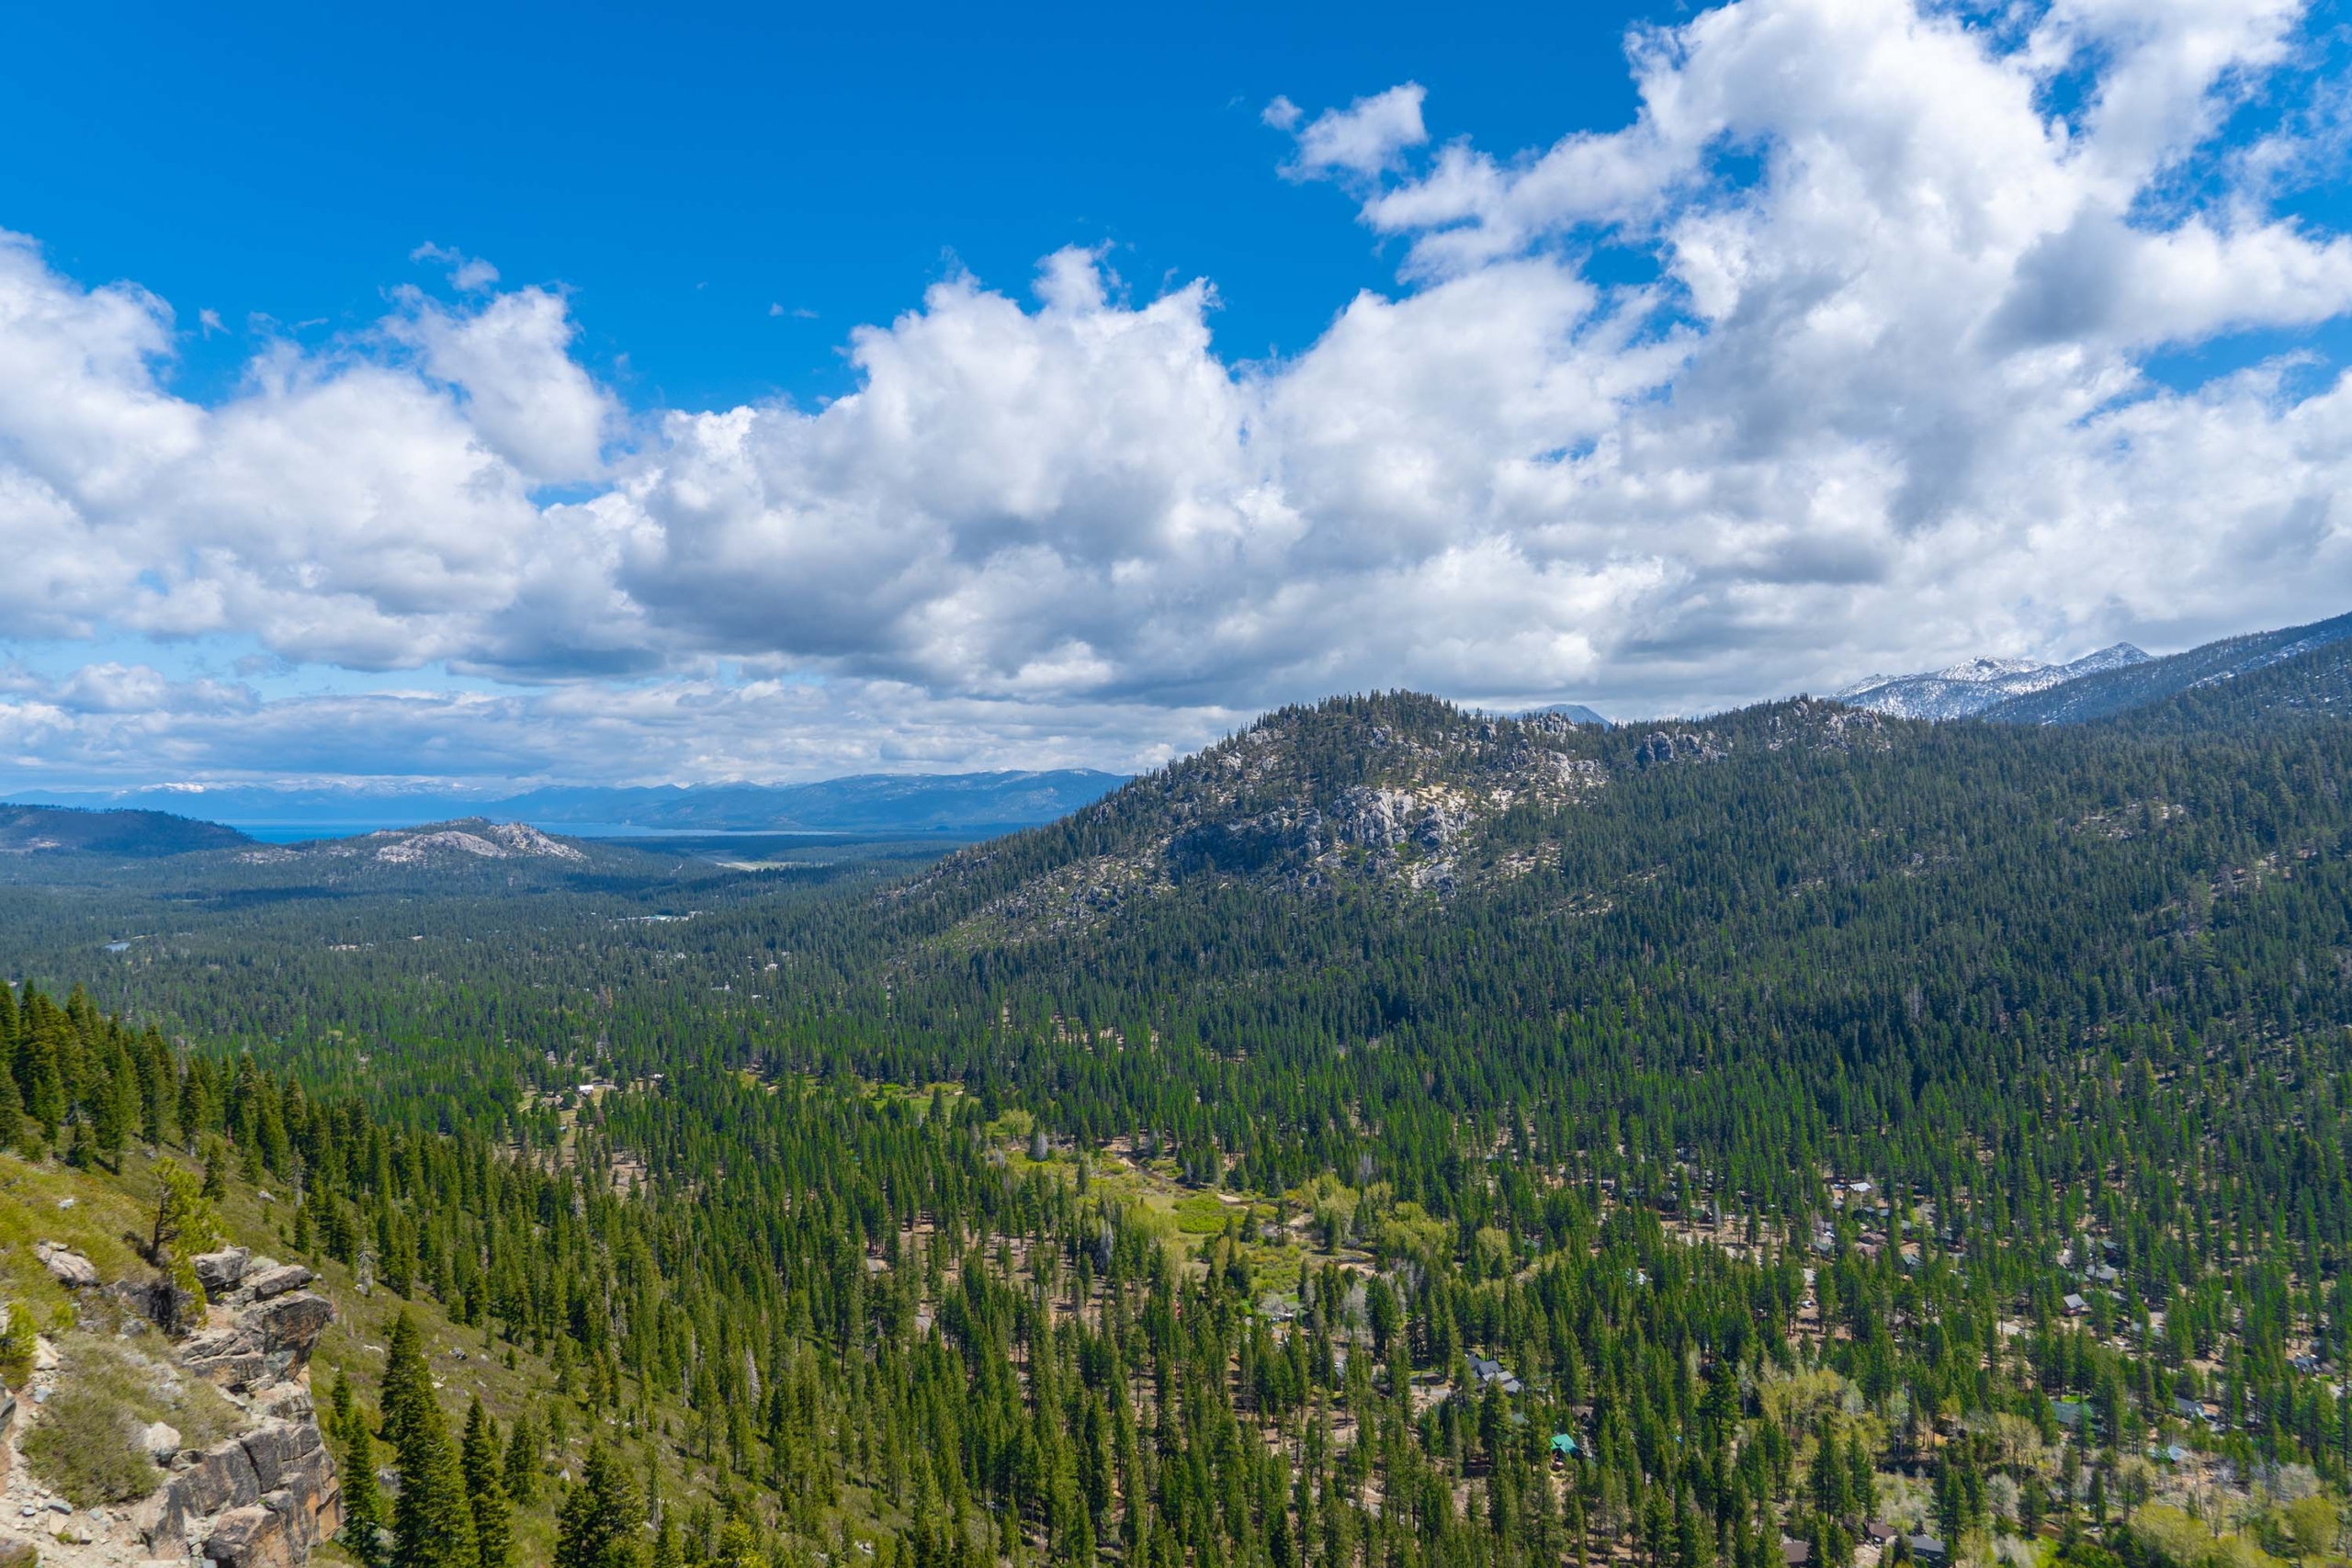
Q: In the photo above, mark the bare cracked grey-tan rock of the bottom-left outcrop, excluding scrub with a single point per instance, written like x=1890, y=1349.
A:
x=255, y=1499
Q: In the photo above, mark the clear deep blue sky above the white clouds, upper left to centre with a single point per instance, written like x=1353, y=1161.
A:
x=686, y=175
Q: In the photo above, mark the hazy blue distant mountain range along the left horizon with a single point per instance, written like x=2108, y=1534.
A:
x=973, y=805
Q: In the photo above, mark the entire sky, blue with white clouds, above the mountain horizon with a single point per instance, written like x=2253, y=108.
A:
x=512, y=396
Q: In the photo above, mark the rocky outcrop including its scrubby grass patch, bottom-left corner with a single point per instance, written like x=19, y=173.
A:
x=248, y=1487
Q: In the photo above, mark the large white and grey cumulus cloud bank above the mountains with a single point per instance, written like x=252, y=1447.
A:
x=1836, y=359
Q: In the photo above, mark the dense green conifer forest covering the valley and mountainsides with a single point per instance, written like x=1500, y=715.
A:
x=1391, y=1137
